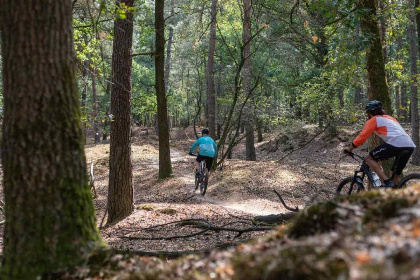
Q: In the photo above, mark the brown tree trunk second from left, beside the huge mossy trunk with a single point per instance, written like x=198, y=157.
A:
x=120, y=190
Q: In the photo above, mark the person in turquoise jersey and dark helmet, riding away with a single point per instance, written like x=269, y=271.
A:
x=208, y=149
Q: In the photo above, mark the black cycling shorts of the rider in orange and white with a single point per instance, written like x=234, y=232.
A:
x=386, y=151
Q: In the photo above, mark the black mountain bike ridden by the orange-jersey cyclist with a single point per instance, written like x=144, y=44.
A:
x=363, y=176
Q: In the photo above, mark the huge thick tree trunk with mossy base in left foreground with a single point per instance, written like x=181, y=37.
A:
x=50, y=222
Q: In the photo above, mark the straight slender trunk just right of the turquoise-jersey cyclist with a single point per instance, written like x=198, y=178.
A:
x=247, y=77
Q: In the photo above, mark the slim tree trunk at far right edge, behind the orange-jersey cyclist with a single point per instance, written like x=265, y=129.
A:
x=415, y=158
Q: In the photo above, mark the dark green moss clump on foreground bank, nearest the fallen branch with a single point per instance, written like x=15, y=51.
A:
x=315, y=219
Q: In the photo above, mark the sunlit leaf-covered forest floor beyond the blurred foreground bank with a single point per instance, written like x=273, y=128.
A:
x=237, y=193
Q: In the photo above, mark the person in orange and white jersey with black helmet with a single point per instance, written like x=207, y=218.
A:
x=397, y=144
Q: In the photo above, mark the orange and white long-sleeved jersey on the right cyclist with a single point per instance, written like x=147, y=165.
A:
x=387, y=128
